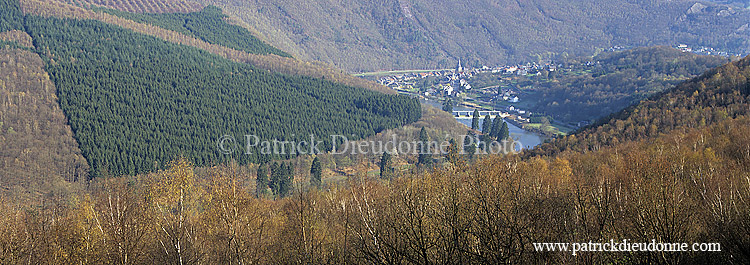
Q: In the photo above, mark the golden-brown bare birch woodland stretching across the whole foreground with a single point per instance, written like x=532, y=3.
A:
x=686, y=185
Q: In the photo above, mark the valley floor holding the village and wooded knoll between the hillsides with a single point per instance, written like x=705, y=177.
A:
x=556, y=98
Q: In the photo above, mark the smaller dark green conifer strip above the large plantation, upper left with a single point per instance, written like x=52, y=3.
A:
x=208, y=25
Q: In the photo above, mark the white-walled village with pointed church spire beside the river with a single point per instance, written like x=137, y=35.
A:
x=495, y=88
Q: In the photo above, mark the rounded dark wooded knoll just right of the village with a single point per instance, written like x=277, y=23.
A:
x=614, y=81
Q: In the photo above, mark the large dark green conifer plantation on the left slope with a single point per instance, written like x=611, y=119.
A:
x=135, y=102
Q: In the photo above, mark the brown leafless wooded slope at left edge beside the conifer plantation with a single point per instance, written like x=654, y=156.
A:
x=37, y=151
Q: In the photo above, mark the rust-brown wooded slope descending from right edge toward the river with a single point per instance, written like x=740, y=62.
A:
x=716, y=95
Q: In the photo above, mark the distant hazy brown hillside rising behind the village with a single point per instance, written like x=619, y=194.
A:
x=416, y=34
